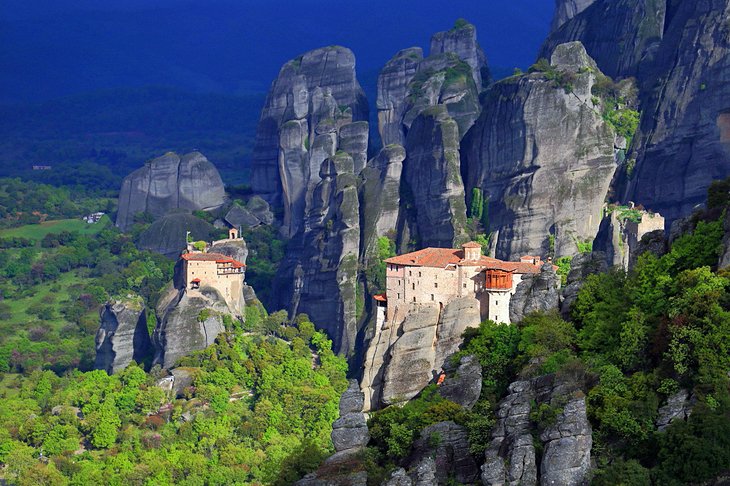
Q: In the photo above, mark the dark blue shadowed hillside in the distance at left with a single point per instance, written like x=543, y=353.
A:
x=96, y=139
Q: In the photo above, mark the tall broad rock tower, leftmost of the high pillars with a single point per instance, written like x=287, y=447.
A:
x=309, y=102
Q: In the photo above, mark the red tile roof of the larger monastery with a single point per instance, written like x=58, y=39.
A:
x=442, y=257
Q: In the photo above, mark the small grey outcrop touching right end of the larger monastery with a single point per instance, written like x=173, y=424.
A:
x=535, y=293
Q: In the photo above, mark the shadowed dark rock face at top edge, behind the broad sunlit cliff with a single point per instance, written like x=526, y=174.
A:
x=621, y=35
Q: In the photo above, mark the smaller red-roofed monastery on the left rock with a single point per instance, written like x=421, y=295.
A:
x=215, y=270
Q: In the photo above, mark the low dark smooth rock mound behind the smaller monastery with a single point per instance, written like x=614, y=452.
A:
x=167, y=235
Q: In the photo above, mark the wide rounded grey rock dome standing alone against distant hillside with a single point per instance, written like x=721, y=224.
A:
x=169, y=182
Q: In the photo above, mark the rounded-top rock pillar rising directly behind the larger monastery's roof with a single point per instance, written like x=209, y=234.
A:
x=433, y=174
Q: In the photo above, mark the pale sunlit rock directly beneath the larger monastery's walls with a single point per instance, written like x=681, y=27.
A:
x=405, y=356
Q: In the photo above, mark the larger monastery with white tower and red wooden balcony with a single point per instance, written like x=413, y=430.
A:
x=439, y=275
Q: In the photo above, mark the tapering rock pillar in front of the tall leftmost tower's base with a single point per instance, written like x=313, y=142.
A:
x=319, y=274
